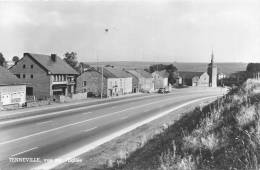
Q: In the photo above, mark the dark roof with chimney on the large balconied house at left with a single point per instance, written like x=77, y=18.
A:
x=55, y=67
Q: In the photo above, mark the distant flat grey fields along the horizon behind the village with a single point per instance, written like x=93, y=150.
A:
x=226, y=68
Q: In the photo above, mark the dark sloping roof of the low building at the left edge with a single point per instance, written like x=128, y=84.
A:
x=7, y=78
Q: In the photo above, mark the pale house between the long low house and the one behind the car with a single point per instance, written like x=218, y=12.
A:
x=145, y=79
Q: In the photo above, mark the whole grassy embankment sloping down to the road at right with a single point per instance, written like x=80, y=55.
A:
x=222, y=135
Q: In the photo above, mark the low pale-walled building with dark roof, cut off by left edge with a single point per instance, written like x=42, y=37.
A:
x=12, y=90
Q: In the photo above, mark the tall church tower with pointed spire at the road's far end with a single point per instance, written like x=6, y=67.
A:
x=212, y=71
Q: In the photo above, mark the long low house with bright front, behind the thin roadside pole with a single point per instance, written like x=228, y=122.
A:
x=115, y=82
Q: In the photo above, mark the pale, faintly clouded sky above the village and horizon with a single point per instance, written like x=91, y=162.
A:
x=137, y=30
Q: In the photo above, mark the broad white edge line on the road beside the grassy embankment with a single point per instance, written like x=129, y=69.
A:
x=88, y=147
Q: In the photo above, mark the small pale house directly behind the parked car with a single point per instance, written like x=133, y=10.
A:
x=160, y=79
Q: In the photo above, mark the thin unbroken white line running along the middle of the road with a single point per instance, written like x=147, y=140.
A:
x=76, y=123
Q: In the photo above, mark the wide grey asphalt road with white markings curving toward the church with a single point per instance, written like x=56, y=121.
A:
x=51, y=134
